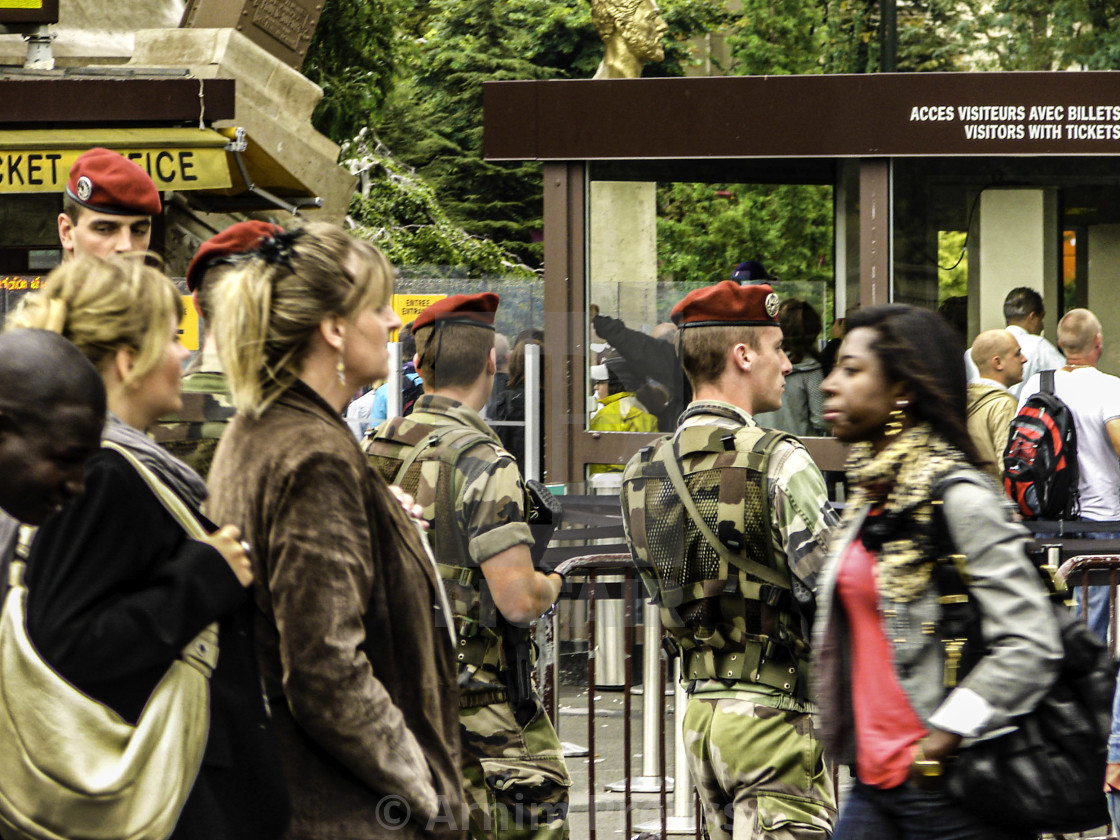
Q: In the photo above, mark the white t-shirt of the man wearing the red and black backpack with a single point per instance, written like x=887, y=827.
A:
x=1094, y=399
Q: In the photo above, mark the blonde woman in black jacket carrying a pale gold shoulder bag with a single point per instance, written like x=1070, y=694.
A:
x=116, y=587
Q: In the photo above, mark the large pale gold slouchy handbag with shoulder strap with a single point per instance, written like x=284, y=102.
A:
x=71, y=767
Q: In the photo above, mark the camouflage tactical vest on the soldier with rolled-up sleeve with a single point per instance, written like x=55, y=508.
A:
x=404, y=451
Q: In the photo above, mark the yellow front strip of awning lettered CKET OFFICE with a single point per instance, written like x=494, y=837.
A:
x=178, y=160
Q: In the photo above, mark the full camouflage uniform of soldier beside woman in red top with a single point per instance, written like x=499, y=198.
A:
x=752, y=752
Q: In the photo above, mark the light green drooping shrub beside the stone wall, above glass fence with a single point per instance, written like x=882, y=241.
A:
x=399, y=213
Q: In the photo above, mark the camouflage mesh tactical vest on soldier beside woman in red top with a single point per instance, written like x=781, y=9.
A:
x=732, y=614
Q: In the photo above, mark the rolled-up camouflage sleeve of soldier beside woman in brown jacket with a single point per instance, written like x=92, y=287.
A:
x=492, y=506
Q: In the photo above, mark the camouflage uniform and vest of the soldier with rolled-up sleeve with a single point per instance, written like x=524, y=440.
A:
x=515, y=776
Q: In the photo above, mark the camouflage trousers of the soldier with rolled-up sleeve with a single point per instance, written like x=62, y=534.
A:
x=515, y=778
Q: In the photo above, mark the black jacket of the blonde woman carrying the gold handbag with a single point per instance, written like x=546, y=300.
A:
x=116, y=591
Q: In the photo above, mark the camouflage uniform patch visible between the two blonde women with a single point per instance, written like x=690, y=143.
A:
x=192, y=435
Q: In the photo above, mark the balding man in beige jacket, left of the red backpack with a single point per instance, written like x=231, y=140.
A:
x=1000, y=359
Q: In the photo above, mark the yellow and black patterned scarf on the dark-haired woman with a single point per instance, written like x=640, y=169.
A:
x=899, y=483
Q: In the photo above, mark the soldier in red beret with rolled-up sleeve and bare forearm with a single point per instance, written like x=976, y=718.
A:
x=475, y=500
